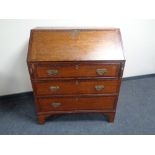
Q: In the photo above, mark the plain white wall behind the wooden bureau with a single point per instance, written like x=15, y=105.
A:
x=138, y=39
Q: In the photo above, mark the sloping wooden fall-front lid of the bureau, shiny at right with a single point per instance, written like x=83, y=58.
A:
x=75, y=45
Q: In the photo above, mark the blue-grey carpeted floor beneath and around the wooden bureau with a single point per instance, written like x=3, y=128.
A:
x=135, y=114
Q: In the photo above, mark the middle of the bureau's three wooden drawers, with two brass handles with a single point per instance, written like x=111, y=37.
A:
x=70, y=87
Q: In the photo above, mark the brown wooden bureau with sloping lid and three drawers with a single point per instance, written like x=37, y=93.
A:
x=75, y=70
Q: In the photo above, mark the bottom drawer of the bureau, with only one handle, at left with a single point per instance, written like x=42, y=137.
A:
x=76, y=103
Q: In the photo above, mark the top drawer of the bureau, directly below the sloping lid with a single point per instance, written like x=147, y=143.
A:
x=77, y=70
